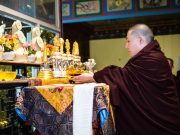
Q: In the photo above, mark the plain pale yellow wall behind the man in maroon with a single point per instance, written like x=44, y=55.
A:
x=112, y=51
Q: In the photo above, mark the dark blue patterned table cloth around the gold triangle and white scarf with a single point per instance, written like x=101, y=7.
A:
x=35, y=109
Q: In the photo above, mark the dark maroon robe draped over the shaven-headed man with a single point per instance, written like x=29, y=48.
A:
x=143, y=94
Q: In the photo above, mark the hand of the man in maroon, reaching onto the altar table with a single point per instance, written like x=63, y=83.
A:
x=83, y=78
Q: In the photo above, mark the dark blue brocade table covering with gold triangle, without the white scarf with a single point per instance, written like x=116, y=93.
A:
x=49, y=109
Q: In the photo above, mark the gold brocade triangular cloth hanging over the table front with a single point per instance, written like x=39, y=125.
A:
x=60, y=97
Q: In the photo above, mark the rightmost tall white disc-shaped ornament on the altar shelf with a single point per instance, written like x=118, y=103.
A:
x=37, y=42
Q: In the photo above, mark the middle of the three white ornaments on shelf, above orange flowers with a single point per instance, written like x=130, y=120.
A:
x=16, y=32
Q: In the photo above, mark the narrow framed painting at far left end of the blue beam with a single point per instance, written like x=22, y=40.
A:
x=66, y=9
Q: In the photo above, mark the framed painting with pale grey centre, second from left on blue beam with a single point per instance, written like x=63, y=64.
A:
x=88, y=7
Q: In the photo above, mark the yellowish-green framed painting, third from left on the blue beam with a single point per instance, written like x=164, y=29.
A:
x=112, y=6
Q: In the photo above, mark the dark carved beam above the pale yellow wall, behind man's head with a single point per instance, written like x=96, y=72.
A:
x=161, y=25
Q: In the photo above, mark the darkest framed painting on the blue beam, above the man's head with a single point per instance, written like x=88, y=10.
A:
x=153, y=4
